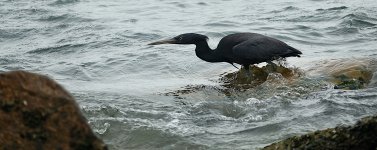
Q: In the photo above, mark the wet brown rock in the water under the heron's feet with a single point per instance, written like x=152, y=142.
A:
x=239, y=81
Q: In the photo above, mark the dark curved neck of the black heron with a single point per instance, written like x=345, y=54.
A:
x=204, y=52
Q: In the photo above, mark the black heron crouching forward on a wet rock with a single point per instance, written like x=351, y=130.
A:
x=241, y=48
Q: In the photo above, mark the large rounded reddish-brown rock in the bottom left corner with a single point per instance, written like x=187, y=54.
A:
x=37, y=113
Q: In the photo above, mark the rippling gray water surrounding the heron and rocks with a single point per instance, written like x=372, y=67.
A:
x=98, y=50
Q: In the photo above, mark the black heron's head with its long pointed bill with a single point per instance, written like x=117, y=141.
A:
x=187, y=38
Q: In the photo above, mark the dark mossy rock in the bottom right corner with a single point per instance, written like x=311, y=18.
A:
x=362, y=136
